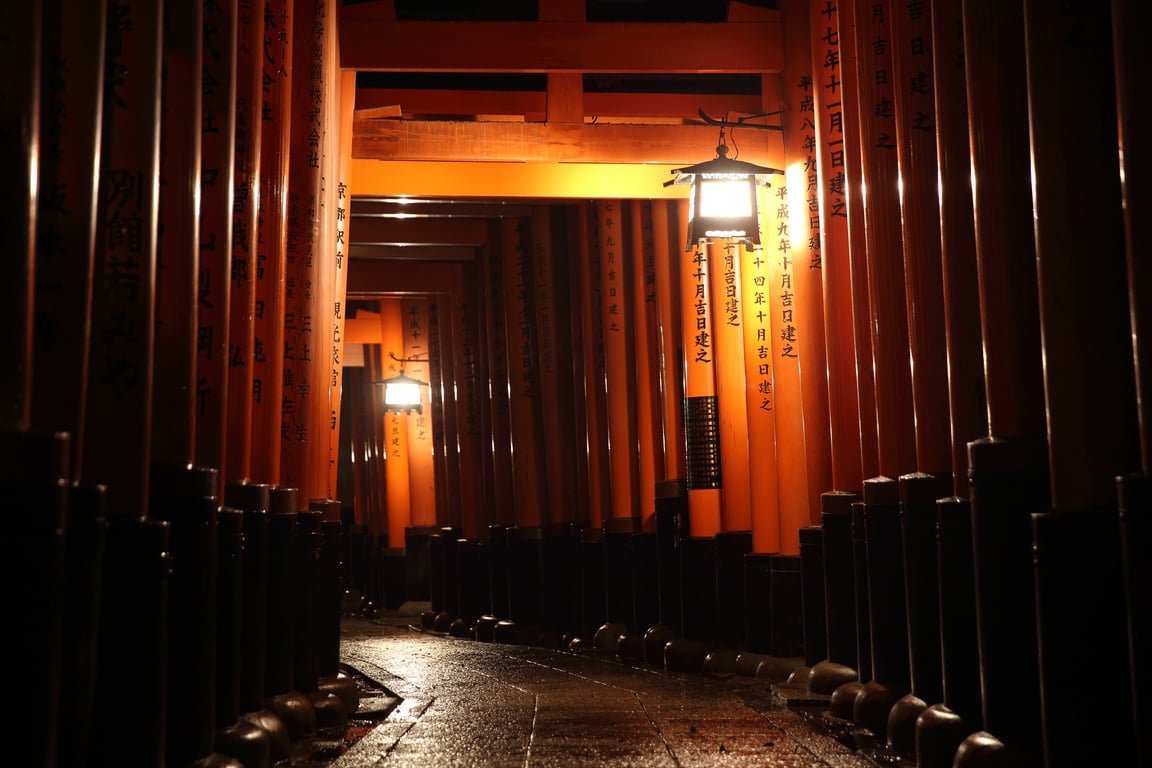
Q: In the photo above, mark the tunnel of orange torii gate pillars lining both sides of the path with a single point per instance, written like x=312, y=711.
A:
x=965, y=340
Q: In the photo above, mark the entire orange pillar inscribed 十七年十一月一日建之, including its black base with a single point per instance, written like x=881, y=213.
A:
x=832, y=118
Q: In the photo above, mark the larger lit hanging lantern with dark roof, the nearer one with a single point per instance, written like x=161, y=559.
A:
x=723, y=201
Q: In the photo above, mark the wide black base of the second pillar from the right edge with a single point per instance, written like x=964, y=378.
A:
x=1080, y=585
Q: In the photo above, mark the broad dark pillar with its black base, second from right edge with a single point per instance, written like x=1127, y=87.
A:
x=1087, y=336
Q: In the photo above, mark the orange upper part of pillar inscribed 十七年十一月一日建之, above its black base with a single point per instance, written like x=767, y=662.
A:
x=836, y=260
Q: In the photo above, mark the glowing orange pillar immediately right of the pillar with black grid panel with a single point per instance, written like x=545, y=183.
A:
x=732, y=389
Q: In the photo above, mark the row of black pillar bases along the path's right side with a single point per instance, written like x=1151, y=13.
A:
x=927, y=619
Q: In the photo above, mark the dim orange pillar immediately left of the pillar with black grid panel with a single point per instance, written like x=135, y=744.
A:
x=668, y=248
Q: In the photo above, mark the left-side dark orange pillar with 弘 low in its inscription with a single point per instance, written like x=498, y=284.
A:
x=246, y=232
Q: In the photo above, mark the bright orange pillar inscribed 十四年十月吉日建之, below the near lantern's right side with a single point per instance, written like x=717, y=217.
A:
x=760, y=364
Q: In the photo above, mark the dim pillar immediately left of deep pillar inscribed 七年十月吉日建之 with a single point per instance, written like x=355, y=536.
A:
x=596, y=409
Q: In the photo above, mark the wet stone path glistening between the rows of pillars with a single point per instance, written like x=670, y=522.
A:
x=468, y=704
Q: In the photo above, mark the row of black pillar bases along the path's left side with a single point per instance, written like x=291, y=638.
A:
x=206, y=633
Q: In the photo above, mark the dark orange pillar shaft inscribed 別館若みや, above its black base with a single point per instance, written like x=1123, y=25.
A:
x=118, y=415
